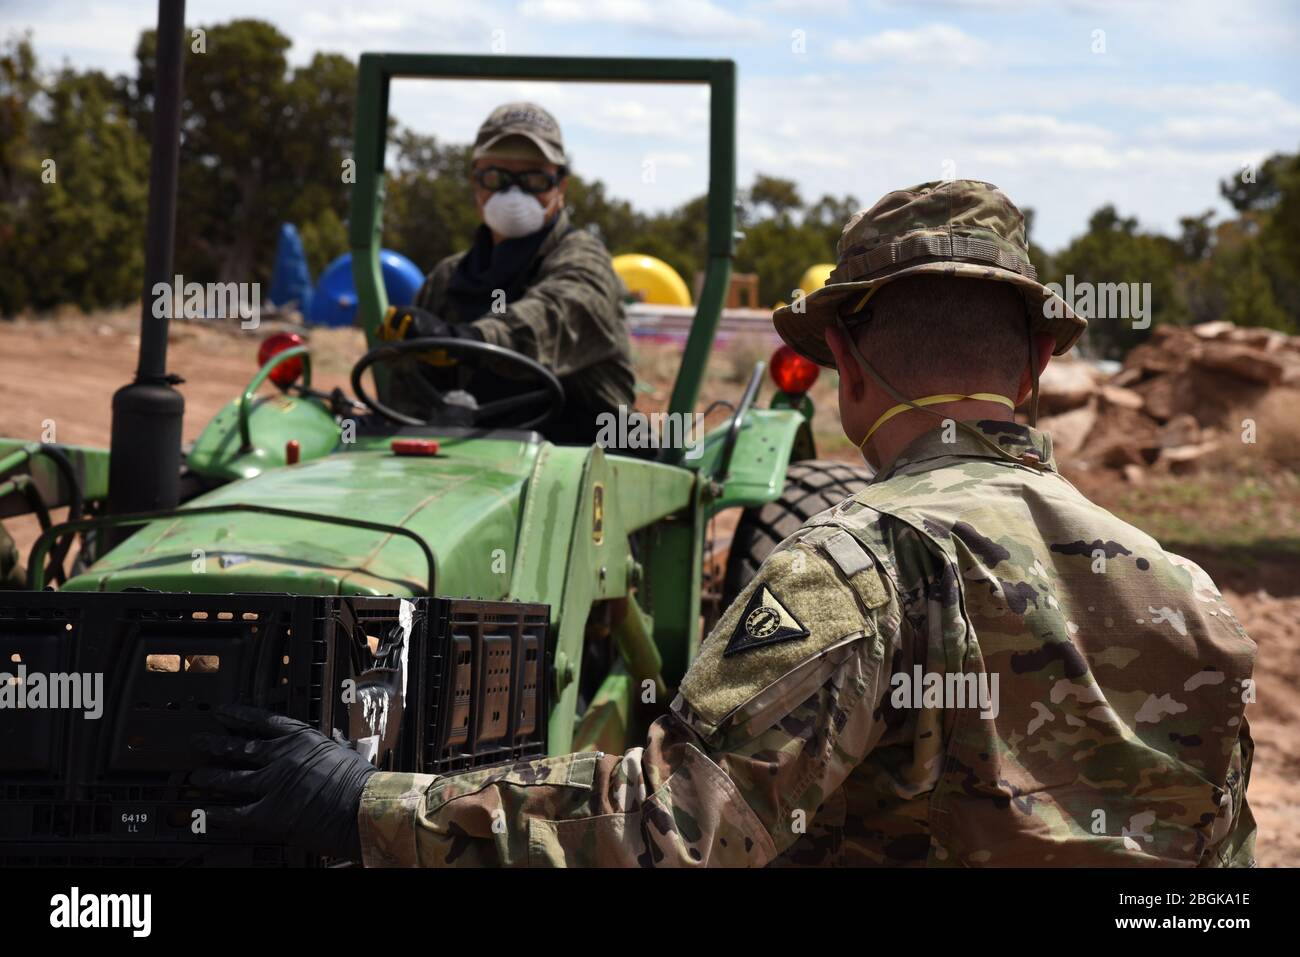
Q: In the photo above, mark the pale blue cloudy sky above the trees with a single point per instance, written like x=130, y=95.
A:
x=1065, y=106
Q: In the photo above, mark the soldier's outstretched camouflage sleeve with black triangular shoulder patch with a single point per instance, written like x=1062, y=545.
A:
x=775, y=713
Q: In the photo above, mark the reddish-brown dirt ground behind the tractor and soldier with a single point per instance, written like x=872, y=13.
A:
x=1243, y=530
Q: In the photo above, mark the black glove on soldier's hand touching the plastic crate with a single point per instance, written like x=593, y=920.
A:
x=304, y=786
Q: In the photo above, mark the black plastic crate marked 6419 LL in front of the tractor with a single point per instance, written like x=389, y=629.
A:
x=81, y=791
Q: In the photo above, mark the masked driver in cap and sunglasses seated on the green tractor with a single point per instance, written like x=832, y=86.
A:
x=531, y=282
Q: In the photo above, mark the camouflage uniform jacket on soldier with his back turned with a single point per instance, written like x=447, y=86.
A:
x=965, y=664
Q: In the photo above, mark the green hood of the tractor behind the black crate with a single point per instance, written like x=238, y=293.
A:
x=465, y=503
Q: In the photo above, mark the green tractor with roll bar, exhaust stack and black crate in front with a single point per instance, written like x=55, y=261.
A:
x=509, y=596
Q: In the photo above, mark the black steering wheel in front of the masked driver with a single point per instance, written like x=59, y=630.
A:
x=552, y=392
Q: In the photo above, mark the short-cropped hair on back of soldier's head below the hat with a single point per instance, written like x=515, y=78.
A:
x=943, y=334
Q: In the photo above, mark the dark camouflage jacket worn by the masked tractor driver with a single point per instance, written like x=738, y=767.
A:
x=570, y=318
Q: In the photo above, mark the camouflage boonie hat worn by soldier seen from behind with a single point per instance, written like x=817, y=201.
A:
x=961, y=228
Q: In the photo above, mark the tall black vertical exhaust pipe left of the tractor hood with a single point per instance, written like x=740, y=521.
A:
x=145, y=453
